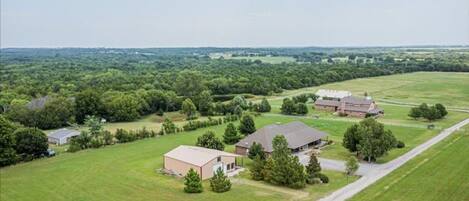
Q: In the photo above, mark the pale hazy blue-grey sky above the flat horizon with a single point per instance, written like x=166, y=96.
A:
x=234, y=23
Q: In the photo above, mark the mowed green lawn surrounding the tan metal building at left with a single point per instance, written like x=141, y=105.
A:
x=128, y=172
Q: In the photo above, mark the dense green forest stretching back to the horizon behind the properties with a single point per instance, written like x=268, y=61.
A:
x=50, y=88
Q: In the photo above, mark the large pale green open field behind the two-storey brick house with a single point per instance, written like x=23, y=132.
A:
x=448, y=88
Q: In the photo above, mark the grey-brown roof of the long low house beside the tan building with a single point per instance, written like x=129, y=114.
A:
x=297, y=134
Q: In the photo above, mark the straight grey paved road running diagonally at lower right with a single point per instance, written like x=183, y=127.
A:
x=382, y=170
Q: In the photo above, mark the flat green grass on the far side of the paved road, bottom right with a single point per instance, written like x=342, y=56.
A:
x=439, y=174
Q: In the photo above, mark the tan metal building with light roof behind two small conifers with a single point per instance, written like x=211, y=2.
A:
x=204, y=161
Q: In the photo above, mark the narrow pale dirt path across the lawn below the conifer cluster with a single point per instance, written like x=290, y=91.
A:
x=295, y=194
